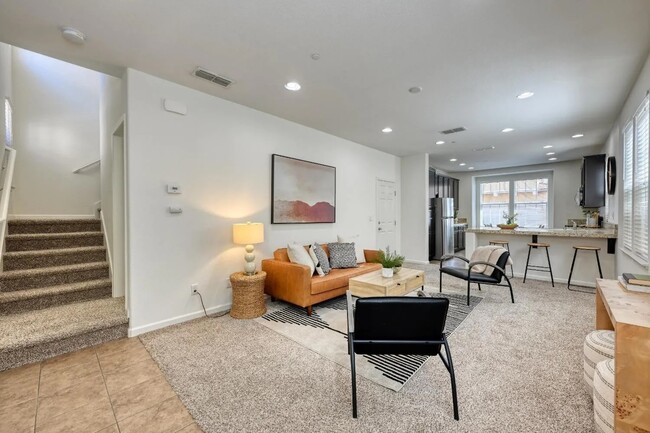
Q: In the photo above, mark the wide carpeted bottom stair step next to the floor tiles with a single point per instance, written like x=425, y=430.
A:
x=36, y=335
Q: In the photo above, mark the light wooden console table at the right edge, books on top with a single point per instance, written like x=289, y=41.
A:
x=628, y=314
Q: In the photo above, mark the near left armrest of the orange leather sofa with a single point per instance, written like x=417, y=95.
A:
x=287, y=281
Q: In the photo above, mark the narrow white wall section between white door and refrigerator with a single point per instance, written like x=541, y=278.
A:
x=415, y=207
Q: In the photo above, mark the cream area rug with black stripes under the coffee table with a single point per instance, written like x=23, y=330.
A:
x=325, y=332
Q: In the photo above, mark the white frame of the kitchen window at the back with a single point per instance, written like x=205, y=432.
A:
x=512, y=178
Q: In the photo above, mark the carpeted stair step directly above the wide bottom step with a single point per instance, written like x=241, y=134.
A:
x=20, y=301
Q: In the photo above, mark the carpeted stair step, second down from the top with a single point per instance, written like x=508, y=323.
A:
x=50, y=241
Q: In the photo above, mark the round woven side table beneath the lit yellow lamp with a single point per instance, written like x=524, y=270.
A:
x=247, y=295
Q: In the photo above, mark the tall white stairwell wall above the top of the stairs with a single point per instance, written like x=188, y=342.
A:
x=56, y=130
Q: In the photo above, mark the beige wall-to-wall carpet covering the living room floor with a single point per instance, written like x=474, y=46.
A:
x=518, y=367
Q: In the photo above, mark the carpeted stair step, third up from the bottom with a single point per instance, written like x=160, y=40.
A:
x=42, y=277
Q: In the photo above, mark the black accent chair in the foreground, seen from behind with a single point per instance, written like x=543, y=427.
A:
x=398, y=326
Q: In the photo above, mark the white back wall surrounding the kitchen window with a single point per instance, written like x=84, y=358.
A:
x=566, y=183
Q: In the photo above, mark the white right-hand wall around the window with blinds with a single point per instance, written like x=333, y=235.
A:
x=614, y=147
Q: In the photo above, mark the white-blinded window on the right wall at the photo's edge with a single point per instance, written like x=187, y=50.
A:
x=628, y=245
